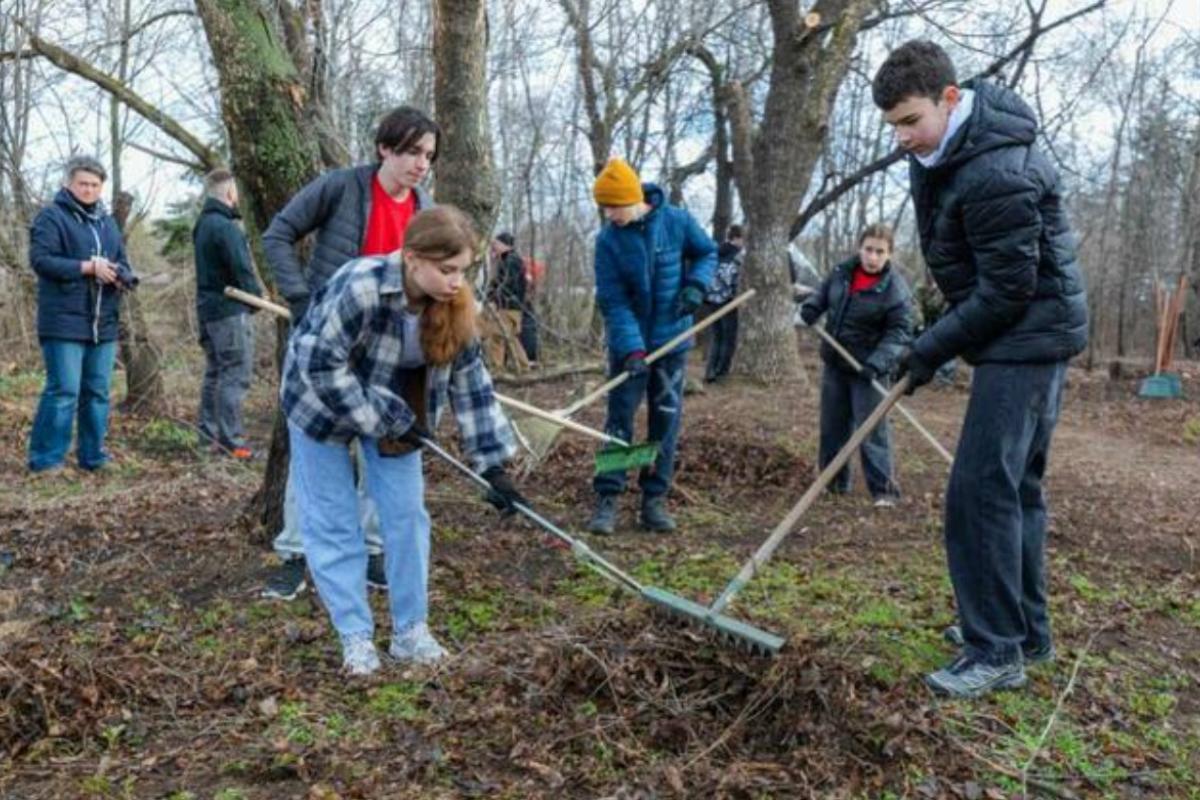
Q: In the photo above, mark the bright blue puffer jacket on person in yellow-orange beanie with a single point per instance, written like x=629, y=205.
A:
x=643, y=268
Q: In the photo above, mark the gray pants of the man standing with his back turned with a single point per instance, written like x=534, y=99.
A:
x=229, y=365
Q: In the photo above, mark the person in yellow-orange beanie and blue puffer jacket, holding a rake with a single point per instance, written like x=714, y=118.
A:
x=653, y=263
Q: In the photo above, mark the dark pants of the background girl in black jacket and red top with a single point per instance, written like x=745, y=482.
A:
x=847, y=401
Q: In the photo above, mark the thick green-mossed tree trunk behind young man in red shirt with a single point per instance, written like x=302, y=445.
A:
x=275, y=153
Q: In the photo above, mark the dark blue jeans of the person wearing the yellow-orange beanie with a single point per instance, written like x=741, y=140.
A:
x=663, y=390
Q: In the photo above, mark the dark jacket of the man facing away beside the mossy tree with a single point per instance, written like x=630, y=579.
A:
x=223, y=260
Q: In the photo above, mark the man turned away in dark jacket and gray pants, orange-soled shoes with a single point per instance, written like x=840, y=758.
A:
x=227, y=333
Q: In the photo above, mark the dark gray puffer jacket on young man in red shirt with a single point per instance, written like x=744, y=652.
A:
x=337, y=207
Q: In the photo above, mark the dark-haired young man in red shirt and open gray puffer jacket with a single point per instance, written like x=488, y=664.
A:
x=356, y=212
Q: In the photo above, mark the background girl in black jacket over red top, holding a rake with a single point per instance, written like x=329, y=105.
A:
x=869, y=312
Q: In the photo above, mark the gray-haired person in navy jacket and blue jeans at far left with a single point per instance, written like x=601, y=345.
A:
x=77, y=252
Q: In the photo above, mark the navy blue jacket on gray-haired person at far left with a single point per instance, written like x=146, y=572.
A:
x=71, y=306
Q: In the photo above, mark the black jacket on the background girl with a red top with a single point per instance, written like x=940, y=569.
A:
x=874, y=324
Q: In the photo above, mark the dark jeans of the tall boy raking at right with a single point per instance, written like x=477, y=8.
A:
x=997, y=512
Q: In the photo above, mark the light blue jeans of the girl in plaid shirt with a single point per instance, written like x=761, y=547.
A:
x=333, y=538
